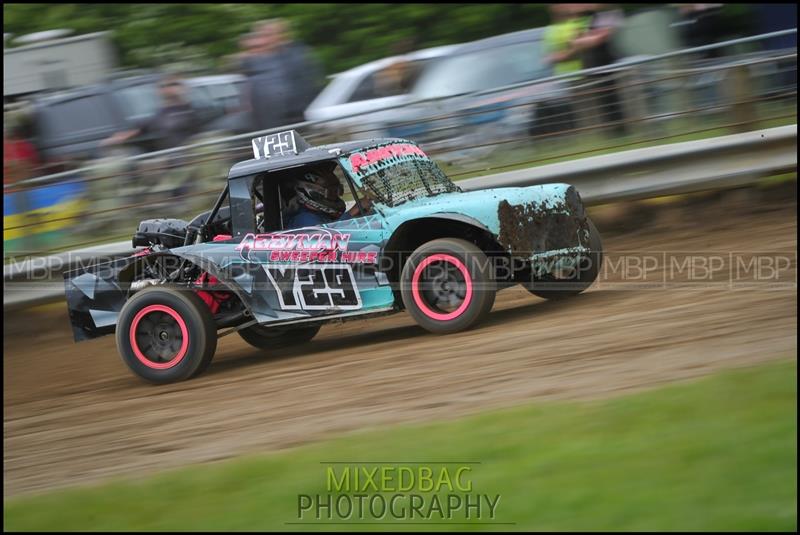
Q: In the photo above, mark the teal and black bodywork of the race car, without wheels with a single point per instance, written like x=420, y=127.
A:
x=284, y=276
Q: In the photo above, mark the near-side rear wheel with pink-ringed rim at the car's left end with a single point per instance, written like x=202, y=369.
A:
x=166, y=334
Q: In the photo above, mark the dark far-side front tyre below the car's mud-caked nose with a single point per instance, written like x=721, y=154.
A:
x=553, y=287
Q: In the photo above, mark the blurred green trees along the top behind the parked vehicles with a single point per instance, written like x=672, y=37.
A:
x=341, y=35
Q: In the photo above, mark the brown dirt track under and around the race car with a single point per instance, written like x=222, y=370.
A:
x=73, y=413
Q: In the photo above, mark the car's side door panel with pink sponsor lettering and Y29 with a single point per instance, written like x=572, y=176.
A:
x=299, y=274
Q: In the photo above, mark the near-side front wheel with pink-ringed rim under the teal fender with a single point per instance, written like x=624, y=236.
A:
x=447, y=285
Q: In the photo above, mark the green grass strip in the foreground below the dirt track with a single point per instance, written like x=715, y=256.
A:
x=718, y=453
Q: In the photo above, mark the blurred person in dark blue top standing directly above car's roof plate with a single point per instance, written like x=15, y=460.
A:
x=283, y=77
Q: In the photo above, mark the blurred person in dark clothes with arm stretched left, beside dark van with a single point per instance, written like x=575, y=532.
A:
x=174, y=123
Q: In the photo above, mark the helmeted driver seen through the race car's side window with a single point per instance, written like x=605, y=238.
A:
x=318, y=200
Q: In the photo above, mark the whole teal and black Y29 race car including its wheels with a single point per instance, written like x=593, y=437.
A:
x=417, y=243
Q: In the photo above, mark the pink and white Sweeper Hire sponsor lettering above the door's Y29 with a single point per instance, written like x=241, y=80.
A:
x=315, y=245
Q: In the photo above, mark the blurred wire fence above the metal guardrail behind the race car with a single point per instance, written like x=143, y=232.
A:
x=676, y=97
